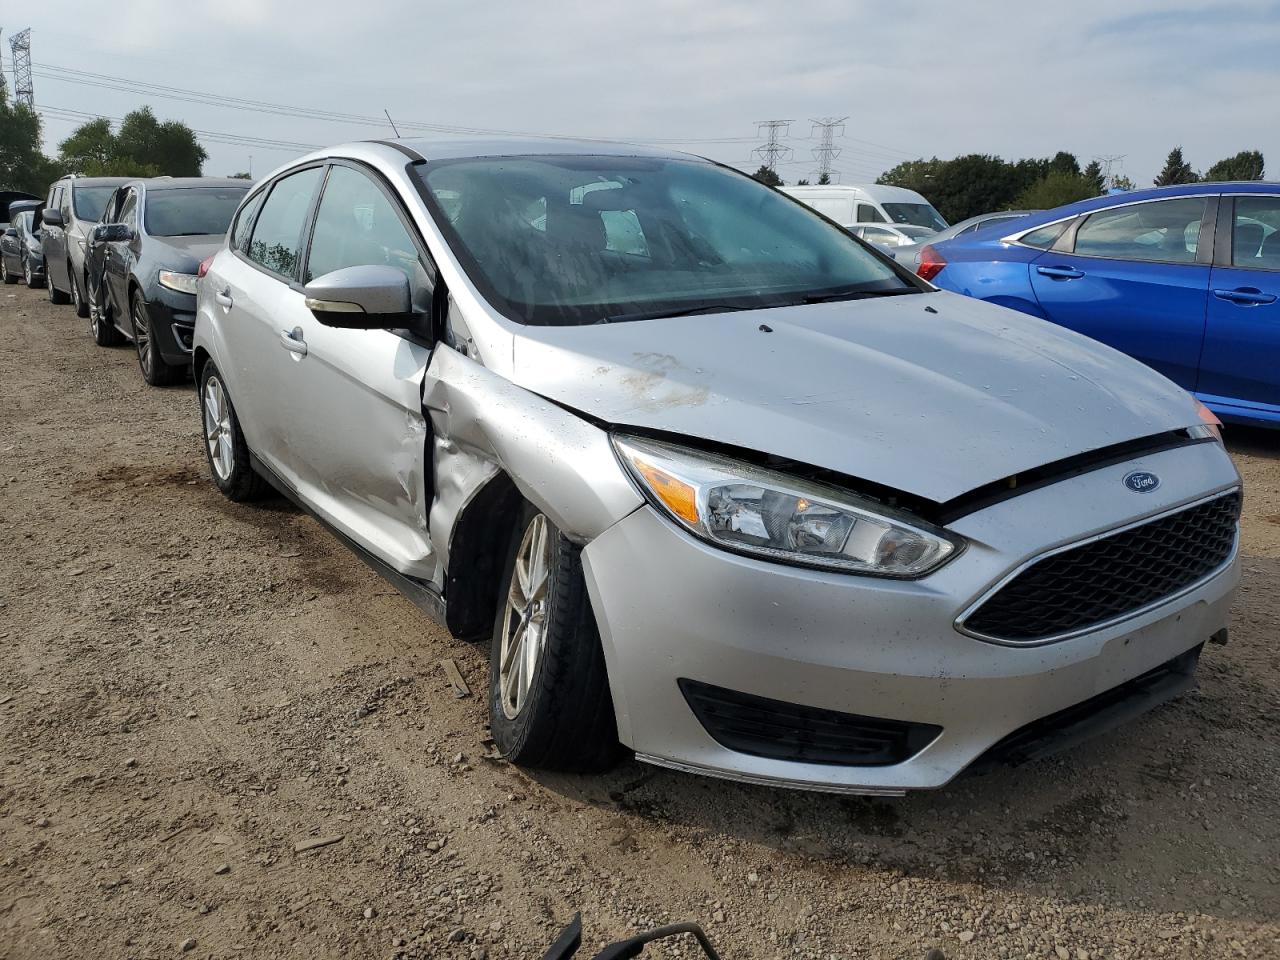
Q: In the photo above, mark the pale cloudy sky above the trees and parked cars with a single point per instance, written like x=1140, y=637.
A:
x=924, y=79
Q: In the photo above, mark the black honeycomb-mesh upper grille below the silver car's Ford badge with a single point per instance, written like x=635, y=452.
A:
x=1113, y=577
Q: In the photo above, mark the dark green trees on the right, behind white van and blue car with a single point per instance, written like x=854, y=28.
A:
x=981, y=184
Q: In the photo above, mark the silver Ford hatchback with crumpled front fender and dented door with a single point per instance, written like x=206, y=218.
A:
x=723, y=484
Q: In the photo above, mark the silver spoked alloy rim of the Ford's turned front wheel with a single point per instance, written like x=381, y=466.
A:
x=524, y=624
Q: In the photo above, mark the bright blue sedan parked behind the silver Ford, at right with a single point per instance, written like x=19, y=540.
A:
x=1187, y=280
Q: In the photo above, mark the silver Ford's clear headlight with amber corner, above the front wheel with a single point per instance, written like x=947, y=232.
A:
x=760, y=513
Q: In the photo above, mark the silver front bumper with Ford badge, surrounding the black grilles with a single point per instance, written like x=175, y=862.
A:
x=673, y=609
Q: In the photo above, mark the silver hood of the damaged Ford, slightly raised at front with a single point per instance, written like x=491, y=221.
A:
x=932, y=395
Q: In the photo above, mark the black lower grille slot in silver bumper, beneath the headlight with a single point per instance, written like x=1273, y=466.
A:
x=784, y=732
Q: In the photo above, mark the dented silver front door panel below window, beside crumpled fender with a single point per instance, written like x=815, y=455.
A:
x=358, y=437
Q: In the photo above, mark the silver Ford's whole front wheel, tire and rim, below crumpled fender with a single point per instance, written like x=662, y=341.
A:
x=550, y=703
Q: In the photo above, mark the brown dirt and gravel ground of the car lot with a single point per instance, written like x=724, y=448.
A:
x=191, y=689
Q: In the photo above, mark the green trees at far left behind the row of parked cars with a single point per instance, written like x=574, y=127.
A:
x=141, y=147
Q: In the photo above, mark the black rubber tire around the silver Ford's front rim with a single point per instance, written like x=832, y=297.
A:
x=566, y=721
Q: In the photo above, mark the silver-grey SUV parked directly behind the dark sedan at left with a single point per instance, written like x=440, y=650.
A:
x=74, y=209
